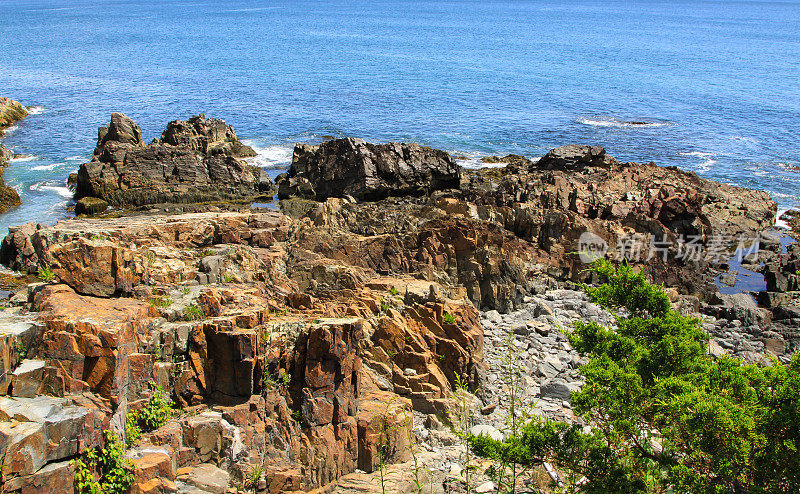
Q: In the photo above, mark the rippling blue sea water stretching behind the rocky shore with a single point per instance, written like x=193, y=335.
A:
x=716, y=82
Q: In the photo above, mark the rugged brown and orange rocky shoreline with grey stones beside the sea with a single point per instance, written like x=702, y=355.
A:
x=361, y=322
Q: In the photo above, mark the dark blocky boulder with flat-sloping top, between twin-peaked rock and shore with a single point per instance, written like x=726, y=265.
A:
x=368, y=171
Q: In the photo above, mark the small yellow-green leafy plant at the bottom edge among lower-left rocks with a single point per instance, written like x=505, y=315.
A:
x=103, y=470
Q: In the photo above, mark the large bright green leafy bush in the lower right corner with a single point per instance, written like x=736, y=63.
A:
x=664, y=415
